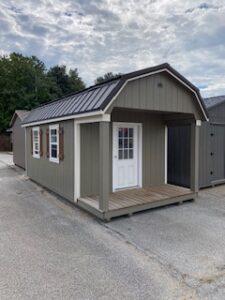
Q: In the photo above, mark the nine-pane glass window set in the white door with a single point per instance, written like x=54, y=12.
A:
x=126, y=143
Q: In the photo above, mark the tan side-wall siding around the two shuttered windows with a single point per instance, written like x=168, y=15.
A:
x=56, y=177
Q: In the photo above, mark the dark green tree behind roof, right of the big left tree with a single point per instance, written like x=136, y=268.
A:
x=65, y=82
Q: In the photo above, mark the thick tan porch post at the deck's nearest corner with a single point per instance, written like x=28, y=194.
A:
x=104, y=165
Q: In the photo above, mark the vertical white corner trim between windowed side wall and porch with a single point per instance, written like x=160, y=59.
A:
x=76, y=161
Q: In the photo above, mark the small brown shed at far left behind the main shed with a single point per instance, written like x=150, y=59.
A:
x=18, y=137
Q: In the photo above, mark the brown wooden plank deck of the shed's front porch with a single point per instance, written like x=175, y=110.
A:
x=137, y=199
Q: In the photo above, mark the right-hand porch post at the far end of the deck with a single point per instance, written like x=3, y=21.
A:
x=195, y=156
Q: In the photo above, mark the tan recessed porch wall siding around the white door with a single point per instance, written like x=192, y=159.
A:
x=153, y=151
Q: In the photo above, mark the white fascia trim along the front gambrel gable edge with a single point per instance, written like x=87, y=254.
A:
x=152, y=73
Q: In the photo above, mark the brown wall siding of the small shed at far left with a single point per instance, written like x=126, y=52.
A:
x=18, y=144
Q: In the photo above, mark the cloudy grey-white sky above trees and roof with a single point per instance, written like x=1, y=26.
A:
x=121, y=36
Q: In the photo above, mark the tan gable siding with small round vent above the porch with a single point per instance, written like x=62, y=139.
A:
x=144, y=93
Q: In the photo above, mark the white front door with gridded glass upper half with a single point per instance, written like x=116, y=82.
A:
x=125, y=155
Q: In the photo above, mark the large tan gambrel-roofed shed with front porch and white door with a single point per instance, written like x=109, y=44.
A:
x=105, y=148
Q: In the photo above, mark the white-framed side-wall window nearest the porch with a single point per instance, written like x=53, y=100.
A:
x=54, y=143
